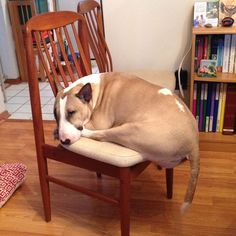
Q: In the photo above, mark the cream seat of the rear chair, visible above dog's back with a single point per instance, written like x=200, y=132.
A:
x=164, y=79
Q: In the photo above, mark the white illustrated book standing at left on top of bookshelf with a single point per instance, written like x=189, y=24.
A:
x=206, y=12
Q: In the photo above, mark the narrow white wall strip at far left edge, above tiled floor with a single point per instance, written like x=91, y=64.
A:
x=7, y=48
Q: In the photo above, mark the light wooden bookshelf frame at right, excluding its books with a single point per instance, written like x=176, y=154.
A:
x=214, y=141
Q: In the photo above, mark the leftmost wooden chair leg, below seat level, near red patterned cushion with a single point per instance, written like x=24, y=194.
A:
x=44, y=184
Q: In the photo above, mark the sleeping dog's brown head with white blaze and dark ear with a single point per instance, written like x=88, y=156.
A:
x=72, y=110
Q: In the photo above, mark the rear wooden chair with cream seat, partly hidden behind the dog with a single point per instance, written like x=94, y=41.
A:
x=91, y=10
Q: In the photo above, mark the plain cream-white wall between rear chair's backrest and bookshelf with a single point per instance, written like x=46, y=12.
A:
x=152, y=34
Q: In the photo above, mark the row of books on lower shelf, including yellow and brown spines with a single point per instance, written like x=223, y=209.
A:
x=214, y=107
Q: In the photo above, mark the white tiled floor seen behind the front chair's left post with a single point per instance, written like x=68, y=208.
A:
x=18, y=101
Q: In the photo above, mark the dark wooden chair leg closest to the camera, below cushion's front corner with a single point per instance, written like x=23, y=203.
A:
x=125, y=201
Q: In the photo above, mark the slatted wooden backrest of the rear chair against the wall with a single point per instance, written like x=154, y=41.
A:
x=91, y=10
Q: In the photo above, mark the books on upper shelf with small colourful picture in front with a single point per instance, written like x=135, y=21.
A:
x=215, y=53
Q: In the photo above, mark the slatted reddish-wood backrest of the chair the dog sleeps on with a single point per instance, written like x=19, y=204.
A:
x=54, y=37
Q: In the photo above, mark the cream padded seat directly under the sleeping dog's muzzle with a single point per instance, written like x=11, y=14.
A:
x=110, y=153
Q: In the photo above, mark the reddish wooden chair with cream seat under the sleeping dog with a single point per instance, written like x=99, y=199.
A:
x=114, y=160
